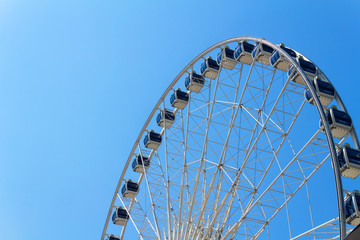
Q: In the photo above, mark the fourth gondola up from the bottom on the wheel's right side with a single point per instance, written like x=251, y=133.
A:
x=324, y=90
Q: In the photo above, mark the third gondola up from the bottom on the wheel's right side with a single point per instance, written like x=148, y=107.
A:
x=340, y=122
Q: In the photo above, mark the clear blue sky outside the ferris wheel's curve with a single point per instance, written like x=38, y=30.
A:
x=79, y=78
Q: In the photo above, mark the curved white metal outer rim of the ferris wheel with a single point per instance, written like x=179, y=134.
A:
x=318, y=105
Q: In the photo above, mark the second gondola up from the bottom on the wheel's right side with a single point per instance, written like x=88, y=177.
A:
x=349, y=161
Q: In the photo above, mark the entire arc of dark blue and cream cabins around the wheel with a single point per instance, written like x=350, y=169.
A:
x=339, y=121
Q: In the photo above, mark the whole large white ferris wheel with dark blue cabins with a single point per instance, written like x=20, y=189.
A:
x=231, y=149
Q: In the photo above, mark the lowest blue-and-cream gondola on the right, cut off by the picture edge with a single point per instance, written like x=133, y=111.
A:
x=352, y=203
